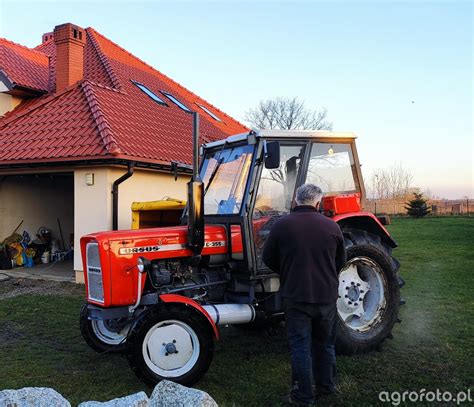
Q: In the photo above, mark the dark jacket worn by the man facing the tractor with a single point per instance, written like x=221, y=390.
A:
x=307, y=250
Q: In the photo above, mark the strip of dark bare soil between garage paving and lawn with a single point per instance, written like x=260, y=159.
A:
x=13, y=287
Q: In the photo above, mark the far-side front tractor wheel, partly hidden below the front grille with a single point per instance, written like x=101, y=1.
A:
x=103, y=335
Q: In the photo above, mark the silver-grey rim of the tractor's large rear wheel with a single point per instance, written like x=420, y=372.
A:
x=362, y=294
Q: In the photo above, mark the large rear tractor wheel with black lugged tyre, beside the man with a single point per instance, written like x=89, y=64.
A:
x=369, y=293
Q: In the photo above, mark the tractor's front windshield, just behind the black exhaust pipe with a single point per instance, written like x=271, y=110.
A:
x=225, y=173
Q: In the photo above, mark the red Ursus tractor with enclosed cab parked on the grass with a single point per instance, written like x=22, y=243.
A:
x=159, y=294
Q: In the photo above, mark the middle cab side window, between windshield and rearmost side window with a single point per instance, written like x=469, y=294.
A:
x=275, y=195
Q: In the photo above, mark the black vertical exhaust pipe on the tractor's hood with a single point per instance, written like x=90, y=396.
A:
x=196, y=197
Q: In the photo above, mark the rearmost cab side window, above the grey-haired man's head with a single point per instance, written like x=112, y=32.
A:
x=332, y=168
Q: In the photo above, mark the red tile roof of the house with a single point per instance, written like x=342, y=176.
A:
x=104, y=116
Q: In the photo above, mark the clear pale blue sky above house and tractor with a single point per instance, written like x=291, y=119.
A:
x=398, y=74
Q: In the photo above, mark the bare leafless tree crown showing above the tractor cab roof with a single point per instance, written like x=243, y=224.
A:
x=287, y=114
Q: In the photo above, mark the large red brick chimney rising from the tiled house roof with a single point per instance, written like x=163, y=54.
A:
x=70, y=40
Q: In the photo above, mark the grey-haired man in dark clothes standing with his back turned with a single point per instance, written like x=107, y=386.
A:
x=307, y=249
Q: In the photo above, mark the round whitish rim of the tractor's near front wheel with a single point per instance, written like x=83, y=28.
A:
x=171, y=348
